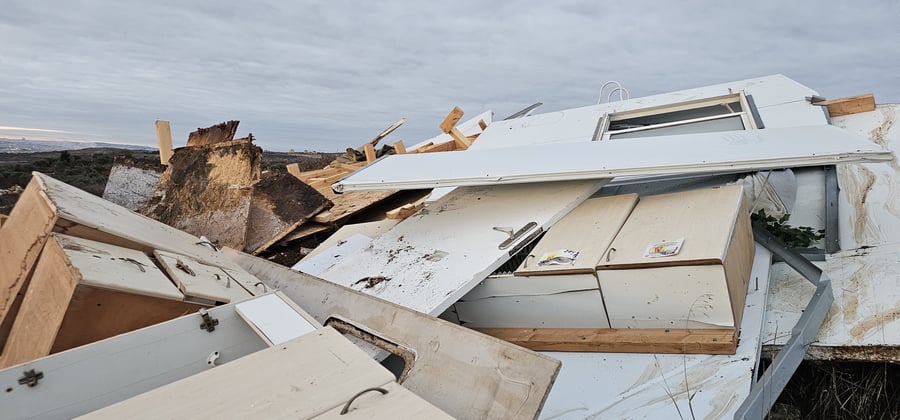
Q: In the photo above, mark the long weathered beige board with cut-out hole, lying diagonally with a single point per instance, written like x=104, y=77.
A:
x=466, y=374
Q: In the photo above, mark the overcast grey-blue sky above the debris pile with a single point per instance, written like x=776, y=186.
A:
x=330, y=75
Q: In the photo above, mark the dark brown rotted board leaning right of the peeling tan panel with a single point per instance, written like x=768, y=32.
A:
x=279, y=204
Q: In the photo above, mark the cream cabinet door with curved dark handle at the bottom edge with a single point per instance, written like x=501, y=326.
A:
x=398, y=403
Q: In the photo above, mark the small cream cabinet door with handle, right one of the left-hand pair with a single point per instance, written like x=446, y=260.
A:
x=199, y=280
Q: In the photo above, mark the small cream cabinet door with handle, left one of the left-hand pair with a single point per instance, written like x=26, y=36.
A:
x=112, y=267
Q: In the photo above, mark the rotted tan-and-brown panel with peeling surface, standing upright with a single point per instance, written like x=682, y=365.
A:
x=206, y=191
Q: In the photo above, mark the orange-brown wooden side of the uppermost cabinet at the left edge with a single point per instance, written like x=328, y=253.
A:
x=23, y=236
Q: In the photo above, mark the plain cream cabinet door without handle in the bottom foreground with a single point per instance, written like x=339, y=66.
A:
x=302, y=378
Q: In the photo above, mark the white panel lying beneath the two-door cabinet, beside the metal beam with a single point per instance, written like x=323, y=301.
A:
x=650, y=386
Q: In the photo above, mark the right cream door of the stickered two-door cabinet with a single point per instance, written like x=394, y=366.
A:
x=703, y=218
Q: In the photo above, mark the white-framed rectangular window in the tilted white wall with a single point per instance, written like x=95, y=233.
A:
x=723, y=113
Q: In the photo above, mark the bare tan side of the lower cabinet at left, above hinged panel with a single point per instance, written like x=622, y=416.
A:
x=43, y=308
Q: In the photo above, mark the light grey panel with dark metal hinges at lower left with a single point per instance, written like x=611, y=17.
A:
x=86, y=378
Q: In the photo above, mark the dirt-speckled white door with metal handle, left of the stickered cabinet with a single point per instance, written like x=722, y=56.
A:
x=434, y=257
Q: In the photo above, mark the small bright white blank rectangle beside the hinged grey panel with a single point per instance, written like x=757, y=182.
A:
x=274, y=318
